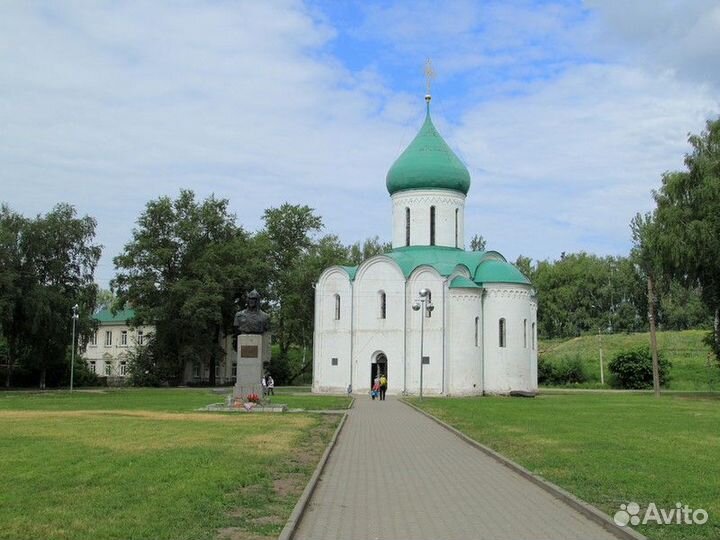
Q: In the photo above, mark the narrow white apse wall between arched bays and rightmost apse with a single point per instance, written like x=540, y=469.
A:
x=464, y=363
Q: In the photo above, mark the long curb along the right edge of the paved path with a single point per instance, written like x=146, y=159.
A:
x=578, y=504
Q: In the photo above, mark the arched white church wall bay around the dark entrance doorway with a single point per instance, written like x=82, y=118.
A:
x=372, y=333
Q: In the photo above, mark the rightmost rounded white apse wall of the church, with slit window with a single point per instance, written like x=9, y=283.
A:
x=513, y=366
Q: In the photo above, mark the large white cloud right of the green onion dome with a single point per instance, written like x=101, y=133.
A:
x=566, y=166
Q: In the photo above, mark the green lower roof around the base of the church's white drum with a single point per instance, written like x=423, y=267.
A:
x=484, y=266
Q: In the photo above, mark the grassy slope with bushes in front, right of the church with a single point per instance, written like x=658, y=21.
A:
x=689, y=356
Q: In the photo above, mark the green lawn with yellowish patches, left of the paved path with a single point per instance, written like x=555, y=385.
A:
x=143, y=464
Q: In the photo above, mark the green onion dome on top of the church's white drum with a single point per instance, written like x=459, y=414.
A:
x=428, y=163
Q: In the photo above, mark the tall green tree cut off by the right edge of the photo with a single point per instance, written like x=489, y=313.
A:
x=688, y=222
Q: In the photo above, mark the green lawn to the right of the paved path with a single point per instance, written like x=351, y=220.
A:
x=607, y=448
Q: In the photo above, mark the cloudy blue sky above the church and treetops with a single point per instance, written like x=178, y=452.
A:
x=566, y=113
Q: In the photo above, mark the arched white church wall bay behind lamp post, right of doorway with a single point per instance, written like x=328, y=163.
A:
x=428, y=278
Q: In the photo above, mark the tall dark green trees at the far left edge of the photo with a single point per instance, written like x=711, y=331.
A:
x=48, y=266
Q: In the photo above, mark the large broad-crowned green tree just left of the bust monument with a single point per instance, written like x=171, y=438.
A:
x=182, y=271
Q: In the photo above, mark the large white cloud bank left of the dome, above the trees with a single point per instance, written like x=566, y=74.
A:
x=109, y=106
